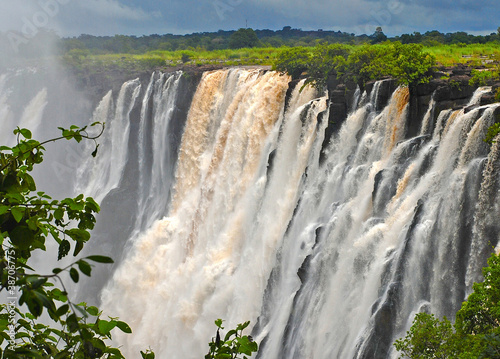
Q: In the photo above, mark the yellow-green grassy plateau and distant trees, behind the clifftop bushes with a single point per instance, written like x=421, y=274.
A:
x=230, y=48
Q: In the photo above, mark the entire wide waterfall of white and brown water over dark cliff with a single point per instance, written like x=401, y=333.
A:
x=235, y=209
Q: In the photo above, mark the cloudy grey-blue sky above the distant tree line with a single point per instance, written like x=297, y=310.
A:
x=145, y=17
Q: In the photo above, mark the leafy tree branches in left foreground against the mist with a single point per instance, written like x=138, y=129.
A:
x=27, y=220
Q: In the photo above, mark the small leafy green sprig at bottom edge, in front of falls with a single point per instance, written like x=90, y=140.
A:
x=233, y=344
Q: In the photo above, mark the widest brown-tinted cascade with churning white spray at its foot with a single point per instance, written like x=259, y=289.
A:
x=215, y=236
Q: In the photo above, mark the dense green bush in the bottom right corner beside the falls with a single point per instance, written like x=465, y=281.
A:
x=476, y=332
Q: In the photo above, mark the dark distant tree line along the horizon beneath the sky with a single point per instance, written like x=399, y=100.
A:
x=288, y=37
